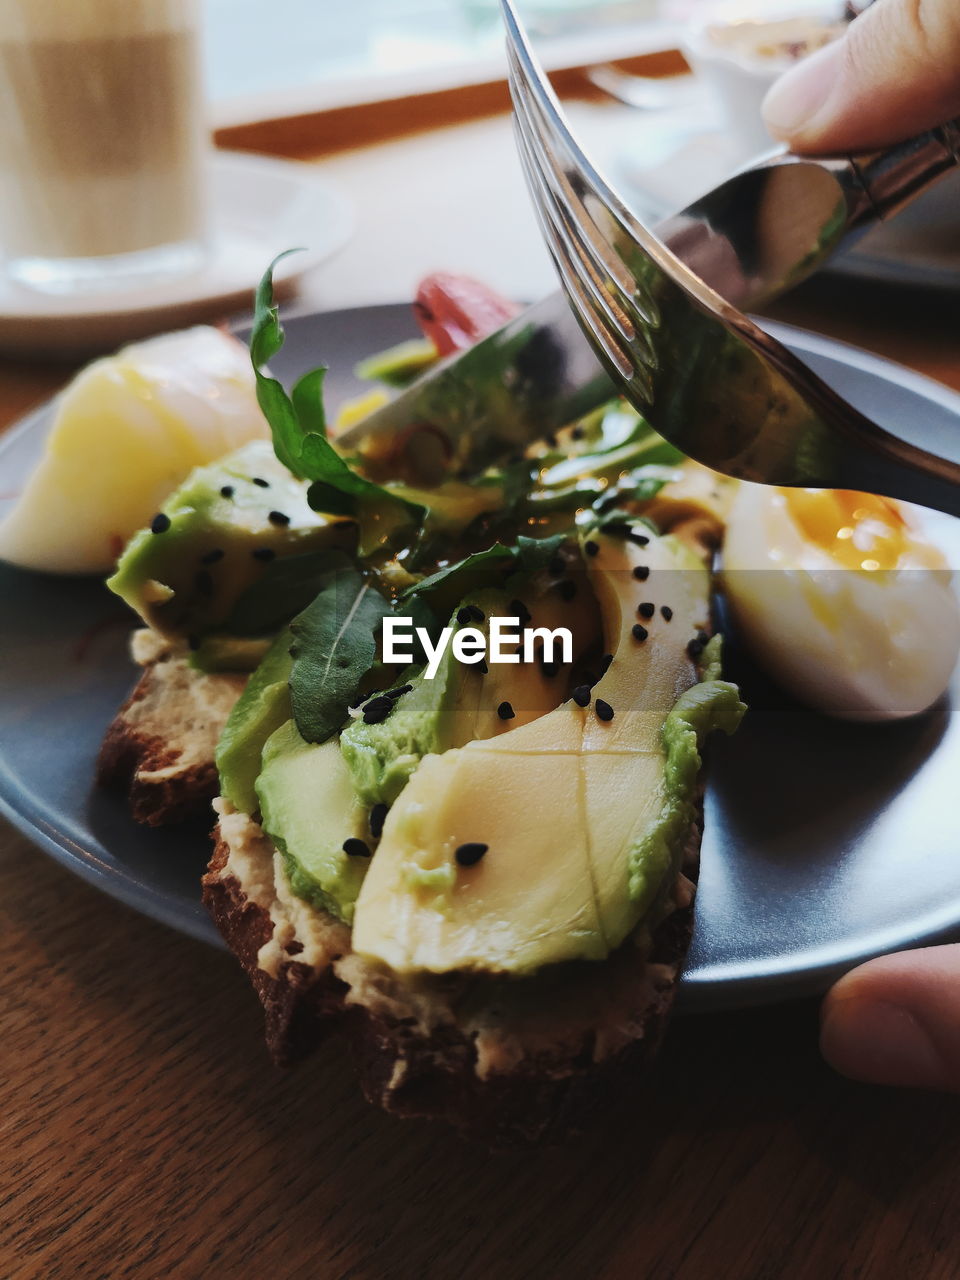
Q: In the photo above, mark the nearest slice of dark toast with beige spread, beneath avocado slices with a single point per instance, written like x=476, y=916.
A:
x=505, y=1060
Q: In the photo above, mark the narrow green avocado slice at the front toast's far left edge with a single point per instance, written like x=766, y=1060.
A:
x=262, y=708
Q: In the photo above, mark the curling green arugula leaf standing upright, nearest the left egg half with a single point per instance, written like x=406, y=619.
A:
x=299, y=428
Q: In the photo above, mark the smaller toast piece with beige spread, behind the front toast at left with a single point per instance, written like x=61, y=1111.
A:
x=161, y=746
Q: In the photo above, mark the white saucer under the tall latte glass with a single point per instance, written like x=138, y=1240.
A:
x=259, y=208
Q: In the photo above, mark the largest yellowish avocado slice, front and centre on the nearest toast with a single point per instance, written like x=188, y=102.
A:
x=580, y=817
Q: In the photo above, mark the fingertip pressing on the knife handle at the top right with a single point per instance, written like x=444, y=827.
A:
x=895, y=72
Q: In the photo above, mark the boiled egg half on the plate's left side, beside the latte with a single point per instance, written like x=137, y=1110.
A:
x=127, y=432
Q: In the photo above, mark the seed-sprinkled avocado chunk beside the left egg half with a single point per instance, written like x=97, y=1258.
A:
x=217, y=537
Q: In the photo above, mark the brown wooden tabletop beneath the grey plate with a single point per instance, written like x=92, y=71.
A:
x=145, y=1133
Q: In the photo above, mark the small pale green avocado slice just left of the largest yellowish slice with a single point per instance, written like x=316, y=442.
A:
x=312, y=813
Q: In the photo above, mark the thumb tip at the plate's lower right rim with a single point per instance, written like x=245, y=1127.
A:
x=897, y=1021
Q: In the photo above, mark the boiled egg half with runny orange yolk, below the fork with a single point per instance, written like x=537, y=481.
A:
x=843, y=598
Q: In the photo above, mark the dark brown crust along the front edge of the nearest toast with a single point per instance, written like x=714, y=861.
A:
x=436, y=1072
